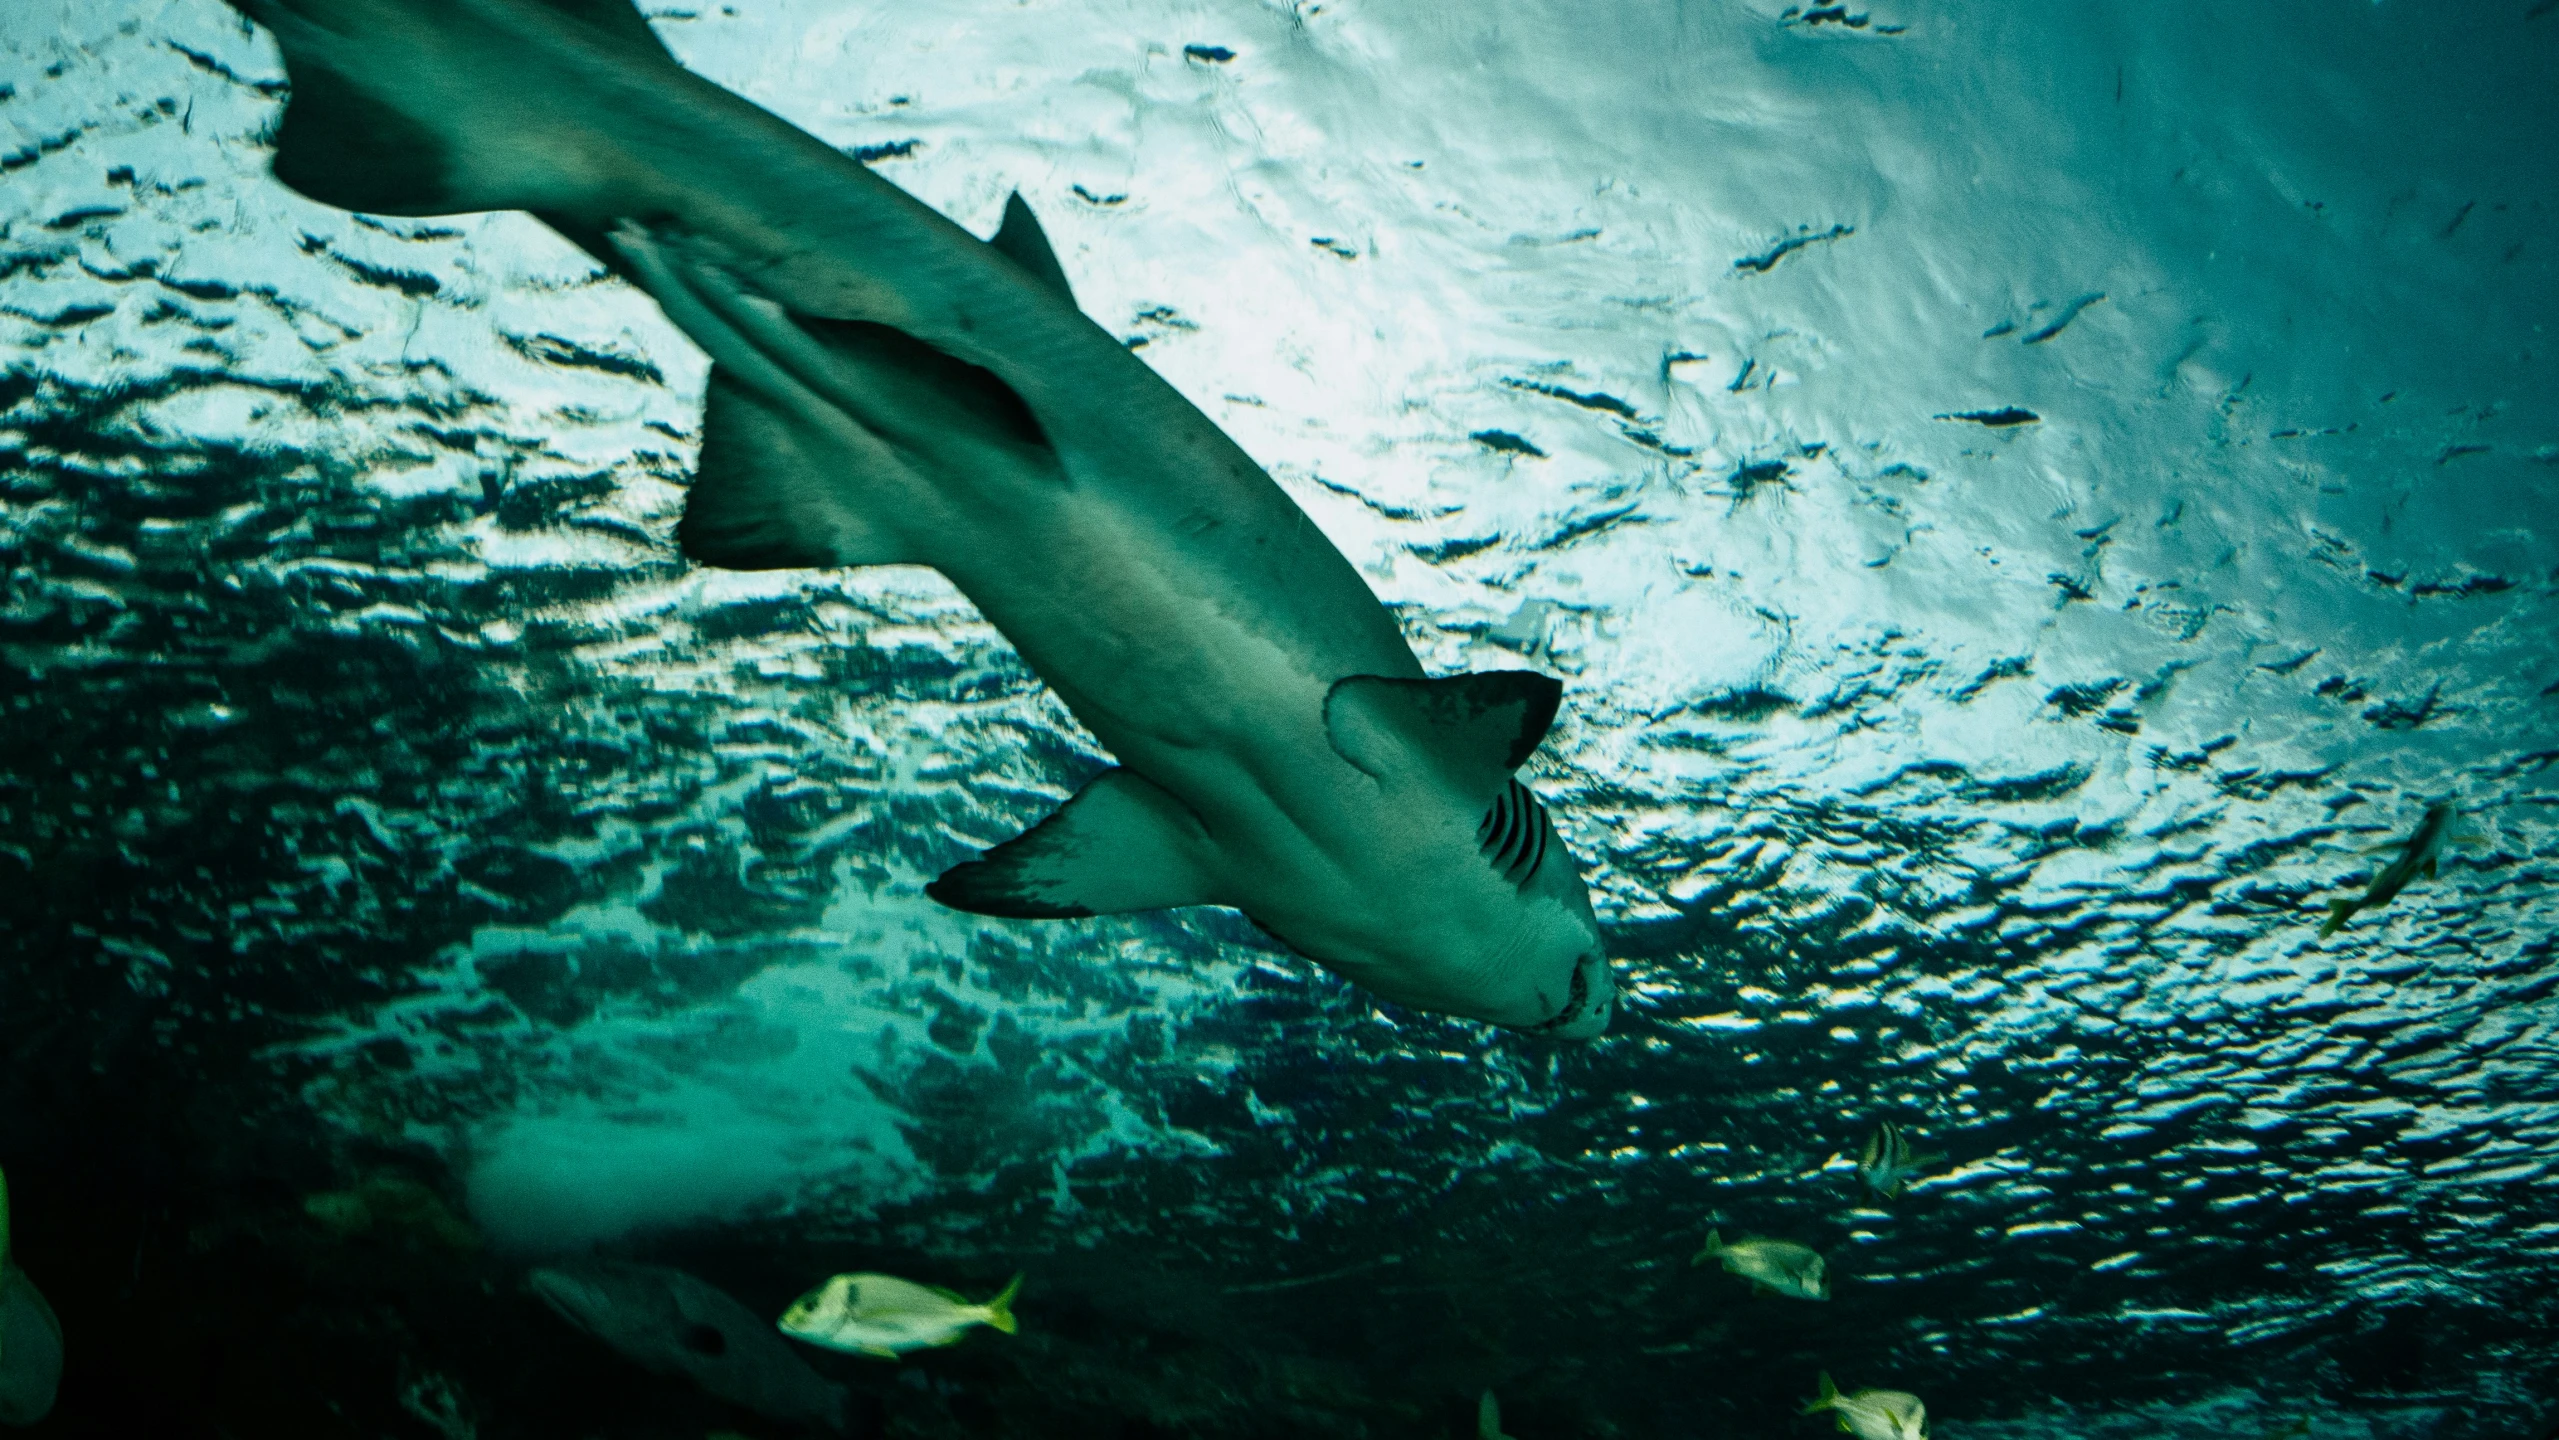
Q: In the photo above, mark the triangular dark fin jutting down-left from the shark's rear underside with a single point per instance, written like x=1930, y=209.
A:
x=764, y=500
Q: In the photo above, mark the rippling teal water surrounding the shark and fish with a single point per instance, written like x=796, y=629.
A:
x=2023, y=497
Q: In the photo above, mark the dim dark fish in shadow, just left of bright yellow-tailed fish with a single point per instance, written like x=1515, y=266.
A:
x=682, y=1326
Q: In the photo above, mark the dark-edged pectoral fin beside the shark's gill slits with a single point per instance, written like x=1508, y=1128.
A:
x=1465, y=730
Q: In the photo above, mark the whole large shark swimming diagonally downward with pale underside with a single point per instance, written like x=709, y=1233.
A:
x=892, y=390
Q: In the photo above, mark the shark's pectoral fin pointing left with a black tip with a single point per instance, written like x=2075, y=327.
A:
x=1120, y=845
